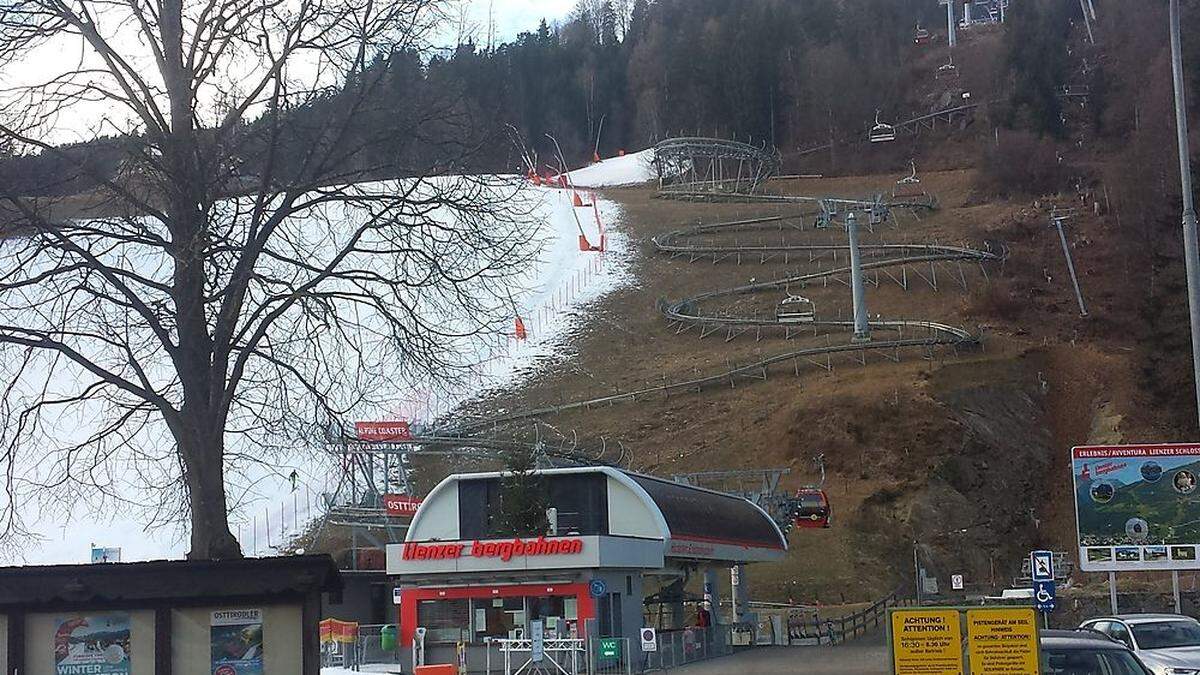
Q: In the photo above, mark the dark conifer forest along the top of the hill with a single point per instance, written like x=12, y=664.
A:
x=621, y=75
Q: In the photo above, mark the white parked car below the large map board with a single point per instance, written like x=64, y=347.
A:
x=1169, y=644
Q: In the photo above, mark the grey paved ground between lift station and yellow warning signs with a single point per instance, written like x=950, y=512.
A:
x=856, y=659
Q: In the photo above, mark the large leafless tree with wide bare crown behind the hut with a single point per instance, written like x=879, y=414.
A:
x=244, y=288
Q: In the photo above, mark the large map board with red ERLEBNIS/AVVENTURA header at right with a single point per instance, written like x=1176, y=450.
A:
x=1137, y=507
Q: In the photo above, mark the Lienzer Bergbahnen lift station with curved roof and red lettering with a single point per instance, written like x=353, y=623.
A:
x=616, y=537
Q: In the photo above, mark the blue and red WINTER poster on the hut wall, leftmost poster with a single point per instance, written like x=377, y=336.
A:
x=93, y=646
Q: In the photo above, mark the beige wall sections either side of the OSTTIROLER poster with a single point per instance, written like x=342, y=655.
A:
x=191, y=638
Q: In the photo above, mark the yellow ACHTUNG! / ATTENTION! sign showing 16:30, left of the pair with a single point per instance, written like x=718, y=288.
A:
x=927, y=642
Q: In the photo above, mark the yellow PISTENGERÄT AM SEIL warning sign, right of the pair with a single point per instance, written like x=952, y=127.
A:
x=1004, y=642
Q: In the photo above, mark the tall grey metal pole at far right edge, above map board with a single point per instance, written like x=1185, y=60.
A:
x=1190, y=212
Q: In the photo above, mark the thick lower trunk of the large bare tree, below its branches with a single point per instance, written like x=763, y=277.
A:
x=202, y=452
